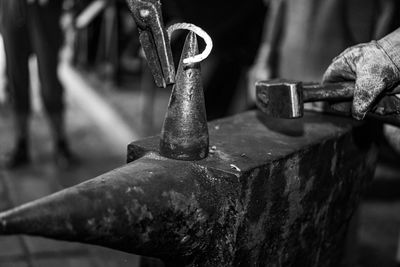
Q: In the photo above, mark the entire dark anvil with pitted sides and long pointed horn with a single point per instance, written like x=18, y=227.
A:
x=281, y=194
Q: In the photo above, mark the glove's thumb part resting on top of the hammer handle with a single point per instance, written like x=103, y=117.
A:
x=339, y=71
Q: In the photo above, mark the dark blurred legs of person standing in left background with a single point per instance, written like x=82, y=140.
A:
x=33, y=27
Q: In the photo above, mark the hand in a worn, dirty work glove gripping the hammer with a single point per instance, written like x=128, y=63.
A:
x=375, y=68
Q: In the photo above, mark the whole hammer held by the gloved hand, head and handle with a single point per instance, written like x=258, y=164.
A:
x=284, y=98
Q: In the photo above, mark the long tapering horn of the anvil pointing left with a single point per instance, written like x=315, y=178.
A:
x=149, y=207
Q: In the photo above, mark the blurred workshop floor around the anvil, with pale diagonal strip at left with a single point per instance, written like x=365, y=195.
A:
x=101, y=121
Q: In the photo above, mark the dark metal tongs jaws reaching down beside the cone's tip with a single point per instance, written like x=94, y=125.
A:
x=154, y=39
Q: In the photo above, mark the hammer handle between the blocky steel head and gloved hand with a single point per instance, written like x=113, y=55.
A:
x=336, y=92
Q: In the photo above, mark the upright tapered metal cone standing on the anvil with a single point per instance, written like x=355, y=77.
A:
x=184, y=134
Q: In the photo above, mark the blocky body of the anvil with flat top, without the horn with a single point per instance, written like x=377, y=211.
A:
x=296, y=185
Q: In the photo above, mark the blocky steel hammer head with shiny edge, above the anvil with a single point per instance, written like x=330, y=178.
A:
x=280, y=98
